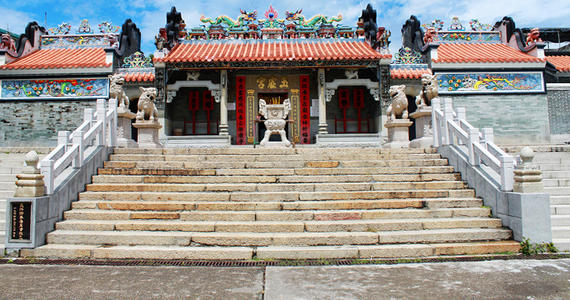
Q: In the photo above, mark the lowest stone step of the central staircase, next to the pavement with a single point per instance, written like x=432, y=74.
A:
x=270, y=252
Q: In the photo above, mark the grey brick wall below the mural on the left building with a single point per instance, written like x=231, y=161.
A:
x=36, y=123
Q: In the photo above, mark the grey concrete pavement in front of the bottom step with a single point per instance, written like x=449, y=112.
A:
x=511, y=279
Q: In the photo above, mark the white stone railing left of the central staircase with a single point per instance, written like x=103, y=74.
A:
x=99, y=128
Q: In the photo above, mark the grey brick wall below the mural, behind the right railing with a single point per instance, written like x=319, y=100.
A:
x=515, y=119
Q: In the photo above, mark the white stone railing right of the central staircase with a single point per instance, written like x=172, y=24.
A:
x=451, y=128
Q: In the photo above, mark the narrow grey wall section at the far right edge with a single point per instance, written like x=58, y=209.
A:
x=559, y=110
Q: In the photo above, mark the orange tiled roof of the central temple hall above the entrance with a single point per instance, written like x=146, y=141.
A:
x=272, y=50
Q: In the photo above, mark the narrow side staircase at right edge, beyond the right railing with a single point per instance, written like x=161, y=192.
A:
x=555, y=168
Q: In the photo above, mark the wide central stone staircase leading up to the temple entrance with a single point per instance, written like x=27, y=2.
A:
x=244, y=203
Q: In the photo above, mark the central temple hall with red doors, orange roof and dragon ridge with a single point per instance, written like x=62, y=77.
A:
x=212, y=78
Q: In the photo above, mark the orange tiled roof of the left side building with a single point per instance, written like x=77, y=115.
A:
x=61, y=59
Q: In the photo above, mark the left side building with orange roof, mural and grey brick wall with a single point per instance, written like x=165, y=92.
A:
x=49, y=76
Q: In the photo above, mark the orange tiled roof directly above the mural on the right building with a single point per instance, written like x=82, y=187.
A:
x=481, y=53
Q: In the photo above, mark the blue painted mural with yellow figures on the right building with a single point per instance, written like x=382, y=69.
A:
x=490, y=82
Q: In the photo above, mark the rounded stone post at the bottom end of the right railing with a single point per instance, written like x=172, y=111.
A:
x=528, y=177
